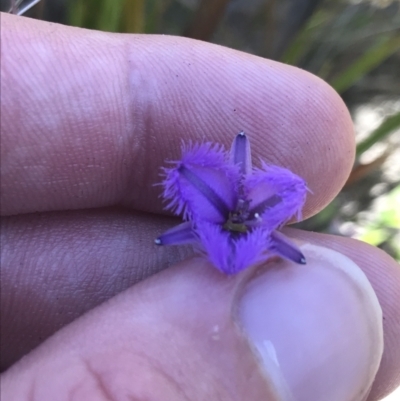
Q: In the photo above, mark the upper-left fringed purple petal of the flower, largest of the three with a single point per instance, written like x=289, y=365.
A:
x=203, y=186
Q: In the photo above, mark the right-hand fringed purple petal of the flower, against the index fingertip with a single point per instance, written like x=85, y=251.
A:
x=275, y=194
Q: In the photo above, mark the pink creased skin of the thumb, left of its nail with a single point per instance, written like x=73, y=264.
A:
x=172, y=333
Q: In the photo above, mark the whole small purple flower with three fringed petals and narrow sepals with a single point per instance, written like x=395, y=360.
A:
x=232, y=211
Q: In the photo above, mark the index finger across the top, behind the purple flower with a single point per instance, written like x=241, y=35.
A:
x=88, y=117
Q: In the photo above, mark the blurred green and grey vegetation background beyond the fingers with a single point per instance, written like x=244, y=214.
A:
x=352, y=44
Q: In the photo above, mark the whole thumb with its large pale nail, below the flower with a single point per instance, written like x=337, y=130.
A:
x=280, y=332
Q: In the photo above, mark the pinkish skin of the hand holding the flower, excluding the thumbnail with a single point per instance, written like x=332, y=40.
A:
x=87, y=119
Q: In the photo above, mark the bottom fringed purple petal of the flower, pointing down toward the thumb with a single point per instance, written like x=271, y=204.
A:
x=231, y=255
